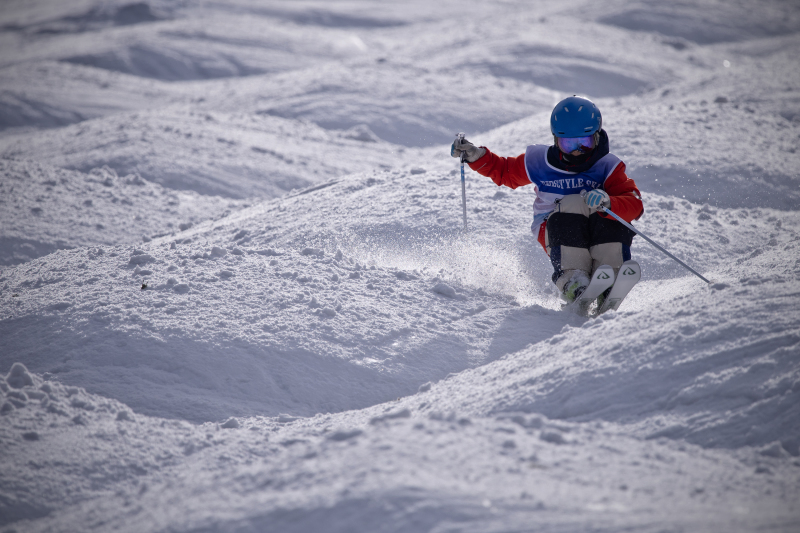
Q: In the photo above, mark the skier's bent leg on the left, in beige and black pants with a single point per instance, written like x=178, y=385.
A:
x=567, y=241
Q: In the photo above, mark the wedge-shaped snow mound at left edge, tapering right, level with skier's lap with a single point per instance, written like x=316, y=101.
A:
x=46, y=208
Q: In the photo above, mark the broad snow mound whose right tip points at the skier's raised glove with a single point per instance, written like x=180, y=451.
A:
x=232, y=156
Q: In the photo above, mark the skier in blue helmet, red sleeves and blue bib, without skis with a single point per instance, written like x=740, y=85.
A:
x=572, y=179
